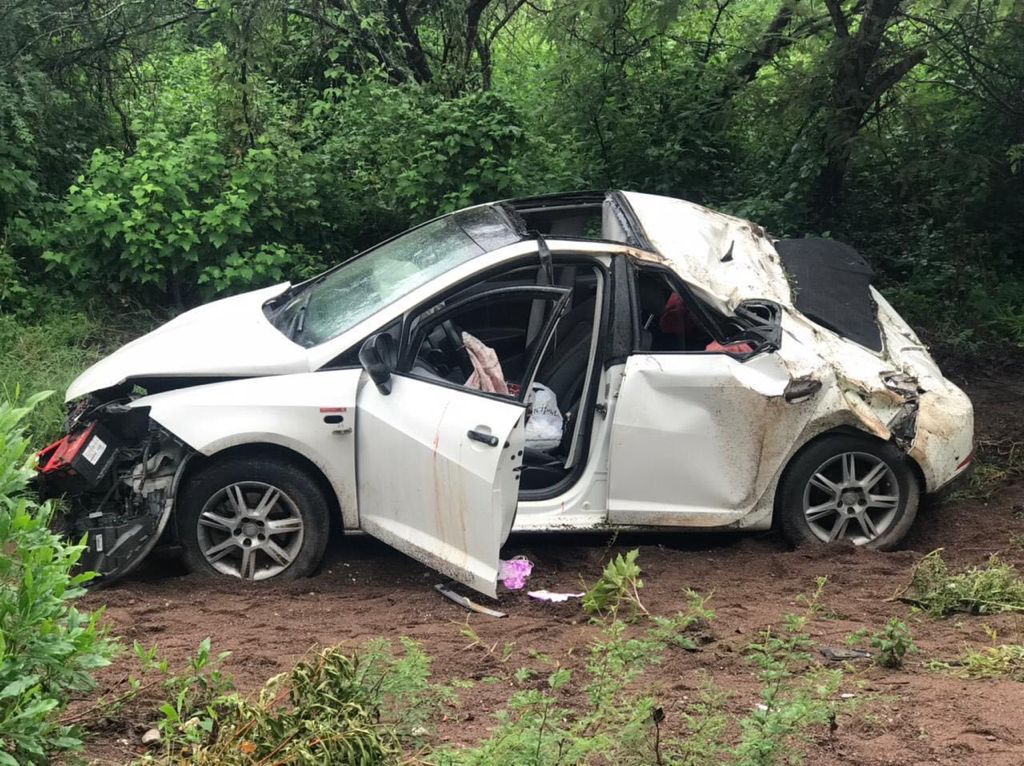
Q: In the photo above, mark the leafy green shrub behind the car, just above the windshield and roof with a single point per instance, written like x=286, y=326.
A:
x=401, y=149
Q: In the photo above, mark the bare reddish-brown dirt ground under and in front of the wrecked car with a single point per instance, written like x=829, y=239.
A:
x=365, y=590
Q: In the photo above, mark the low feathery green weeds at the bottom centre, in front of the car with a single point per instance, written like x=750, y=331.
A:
x=620, y=721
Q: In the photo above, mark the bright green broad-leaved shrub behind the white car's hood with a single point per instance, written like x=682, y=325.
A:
x=183, y=210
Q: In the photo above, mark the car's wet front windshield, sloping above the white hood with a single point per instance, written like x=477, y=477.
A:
x=343, y=299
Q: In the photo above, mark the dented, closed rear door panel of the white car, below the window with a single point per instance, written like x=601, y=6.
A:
x=697, y=438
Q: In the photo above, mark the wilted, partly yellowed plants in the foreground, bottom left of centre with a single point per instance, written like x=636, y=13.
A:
x=332, y=708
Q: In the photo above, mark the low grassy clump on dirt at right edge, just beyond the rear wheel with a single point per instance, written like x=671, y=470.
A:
x=993, y=588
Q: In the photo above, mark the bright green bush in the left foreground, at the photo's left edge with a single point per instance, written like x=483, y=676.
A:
x=48, y=648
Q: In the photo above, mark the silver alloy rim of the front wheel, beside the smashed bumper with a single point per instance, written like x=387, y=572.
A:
x=250, y=530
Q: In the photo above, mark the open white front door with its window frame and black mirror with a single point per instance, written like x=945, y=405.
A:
x=439, y=464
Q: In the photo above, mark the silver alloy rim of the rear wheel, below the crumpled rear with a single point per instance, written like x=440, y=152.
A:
x=852, y=496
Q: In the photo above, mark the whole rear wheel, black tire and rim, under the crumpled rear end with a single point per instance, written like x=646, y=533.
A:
x=846, y=488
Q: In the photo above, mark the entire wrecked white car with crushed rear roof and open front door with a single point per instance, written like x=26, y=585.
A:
x=697, y=373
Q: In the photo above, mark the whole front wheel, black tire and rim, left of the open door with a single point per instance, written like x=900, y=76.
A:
x=281, y=532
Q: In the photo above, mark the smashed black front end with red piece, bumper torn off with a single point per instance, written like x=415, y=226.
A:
x=118, y=473
